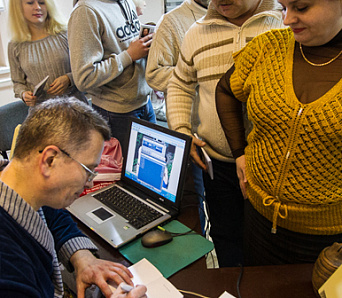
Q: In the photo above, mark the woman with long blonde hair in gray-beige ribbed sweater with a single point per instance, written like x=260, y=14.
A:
x=39, y=48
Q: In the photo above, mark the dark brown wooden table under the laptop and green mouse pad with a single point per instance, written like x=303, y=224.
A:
x=286, y=281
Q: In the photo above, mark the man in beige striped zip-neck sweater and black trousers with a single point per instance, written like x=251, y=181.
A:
x=206, y=54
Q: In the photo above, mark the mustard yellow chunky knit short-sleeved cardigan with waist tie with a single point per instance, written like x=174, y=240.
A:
x=294, y=152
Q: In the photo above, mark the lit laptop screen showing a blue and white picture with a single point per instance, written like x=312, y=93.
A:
x=154, y=160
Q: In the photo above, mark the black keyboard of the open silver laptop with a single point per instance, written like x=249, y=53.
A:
x=137, y=213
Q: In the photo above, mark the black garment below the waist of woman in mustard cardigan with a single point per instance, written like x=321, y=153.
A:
x=261, y=247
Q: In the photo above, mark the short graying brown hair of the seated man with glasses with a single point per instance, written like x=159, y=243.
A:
x=64, y=122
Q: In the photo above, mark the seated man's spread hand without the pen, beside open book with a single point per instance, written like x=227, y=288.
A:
x=90, y=270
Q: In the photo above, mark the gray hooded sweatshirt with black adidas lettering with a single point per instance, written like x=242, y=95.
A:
x=100, y=32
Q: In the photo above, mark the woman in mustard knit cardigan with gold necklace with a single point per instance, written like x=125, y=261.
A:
x=290, y=167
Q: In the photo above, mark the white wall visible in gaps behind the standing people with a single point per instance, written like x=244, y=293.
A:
x=153, y=11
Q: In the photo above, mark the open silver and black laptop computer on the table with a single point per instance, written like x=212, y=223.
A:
x=153, y=173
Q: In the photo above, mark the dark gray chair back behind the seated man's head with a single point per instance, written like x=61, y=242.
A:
x=11, y=115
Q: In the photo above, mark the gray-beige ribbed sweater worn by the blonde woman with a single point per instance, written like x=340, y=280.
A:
x=31, y=61
